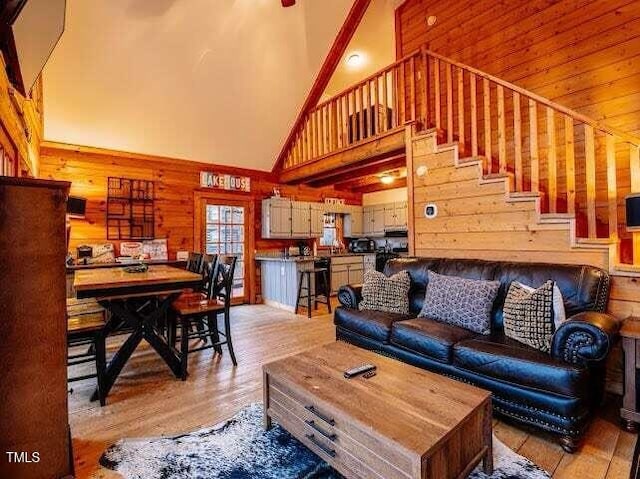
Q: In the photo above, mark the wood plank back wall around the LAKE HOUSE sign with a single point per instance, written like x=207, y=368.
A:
x=176, y=183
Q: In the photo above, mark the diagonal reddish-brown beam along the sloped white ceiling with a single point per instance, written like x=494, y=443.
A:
x=354, y=17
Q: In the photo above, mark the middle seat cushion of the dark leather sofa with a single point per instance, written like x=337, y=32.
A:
x=428, y=337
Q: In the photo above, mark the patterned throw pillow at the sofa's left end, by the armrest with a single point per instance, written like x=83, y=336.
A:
x=391, y=294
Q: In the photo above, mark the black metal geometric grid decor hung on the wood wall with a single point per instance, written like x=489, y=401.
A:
x=130, y=209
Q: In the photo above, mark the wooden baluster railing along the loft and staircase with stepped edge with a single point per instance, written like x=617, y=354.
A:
x=576, y=170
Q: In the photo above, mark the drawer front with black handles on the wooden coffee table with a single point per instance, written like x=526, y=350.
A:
x=331, y=429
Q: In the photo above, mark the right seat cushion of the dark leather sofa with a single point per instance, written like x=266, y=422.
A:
x=507, y=360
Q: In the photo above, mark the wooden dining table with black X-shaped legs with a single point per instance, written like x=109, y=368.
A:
x=139, y=300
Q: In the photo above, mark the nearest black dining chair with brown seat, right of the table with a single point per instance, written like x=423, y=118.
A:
x=205, y=311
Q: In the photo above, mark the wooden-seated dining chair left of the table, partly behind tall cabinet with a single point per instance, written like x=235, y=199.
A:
x=86, y=321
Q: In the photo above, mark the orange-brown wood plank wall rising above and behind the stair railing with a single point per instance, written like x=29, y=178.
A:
x=583, y=54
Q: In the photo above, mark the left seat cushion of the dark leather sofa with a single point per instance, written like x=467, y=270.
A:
x=372, y=324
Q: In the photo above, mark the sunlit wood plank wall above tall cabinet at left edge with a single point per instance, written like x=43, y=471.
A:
x=28, y=113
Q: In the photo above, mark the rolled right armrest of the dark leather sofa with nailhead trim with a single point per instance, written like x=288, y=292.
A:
x=585, y=338
